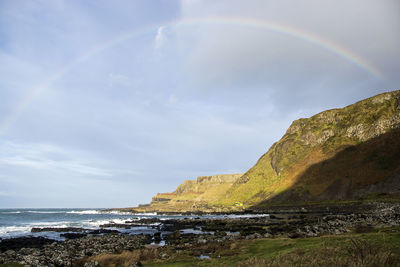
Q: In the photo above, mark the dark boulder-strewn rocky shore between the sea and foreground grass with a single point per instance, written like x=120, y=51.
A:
x=191, y=233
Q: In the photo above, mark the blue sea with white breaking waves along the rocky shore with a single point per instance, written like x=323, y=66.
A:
x=19, y=222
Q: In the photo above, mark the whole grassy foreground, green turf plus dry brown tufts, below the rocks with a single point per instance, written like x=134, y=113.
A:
x=364, y=249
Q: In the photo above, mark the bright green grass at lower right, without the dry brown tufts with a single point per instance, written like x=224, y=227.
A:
x=350, y=248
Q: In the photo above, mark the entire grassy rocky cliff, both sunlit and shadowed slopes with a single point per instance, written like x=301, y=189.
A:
x=343, y=153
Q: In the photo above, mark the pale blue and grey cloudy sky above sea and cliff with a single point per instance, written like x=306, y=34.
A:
x=106, y=103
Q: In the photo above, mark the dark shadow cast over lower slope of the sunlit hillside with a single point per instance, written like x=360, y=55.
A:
x=372, y=167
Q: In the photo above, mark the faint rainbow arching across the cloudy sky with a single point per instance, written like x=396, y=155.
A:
x=294, y=32
